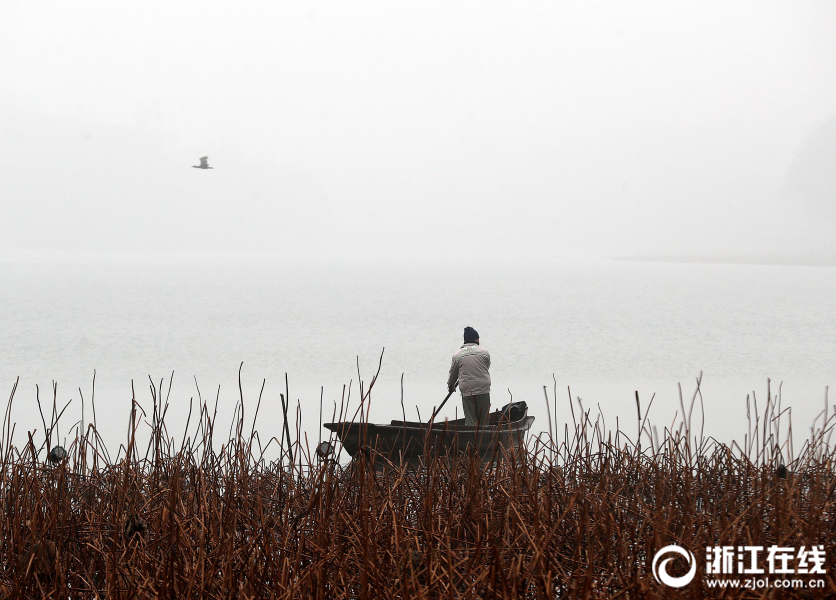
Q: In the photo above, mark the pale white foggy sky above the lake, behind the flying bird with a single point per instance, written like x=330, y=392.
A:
x=370, y=130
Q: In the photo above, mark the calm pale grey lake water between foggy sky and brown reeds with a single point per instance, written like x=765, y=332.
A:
x=604, y=328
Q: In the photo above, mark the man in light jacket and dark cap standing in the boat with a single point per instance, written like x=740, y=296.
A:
x=470, y=367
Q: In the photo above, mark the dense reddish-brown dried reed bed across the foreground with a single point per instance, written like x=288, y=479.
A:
x=577, y=515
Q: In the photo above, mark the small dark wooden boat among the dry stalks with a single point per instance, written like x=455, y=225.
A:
x=414, y=442
